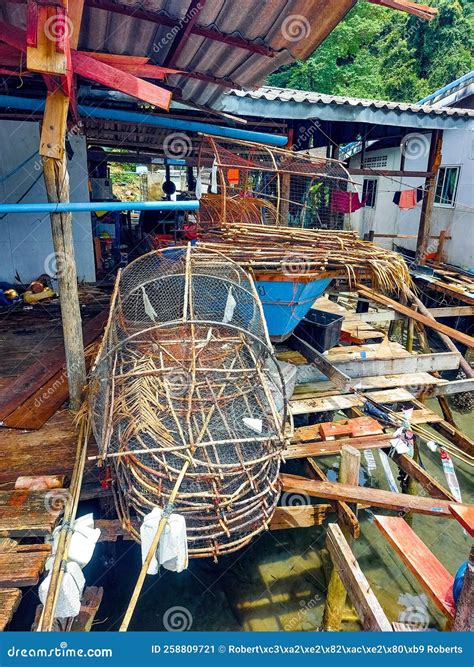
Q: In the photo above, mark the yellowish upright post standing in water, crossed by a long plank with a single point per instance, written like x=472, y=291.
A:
x=336, y=595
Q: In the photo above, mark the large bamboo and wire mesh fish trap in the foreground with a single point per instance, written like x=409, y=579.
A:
x=186, y=373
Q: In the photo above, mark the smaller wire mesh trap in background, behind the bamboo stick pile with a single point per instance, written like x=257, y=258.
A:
x=257, y=184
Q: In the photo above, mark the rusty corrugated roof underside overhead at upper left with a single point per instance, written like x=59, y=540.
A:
x=291, y=28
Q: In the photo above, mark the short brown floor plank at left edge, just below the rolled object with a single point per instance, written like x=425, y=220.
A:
x=32, y=514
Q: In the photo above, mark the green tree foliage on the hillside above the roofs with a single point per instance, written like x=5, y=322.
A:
x=380, y=53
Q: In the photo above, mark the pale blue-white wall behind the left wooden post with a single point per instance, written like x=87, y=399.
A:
x=26, y=246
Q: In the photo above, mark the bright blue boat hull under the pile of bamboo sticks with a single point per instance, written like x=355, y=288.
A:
x=286, y=302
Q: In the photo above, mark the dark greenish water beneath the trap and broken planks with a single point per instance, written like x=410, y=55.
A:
x=278, y=583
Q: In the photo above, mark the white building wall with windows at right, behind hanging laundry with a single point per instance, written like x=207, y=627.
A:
x=458, y=221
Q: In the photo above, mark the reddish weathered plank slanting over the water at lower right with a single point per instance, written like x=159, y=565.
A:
x=431, y=574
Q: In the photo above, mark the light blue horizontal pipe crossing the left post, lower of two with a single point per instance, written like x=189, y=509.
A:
x=74, y=207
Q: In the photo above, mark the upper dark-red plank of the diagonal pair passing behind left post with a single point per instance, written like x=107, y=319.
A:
x=38, y=374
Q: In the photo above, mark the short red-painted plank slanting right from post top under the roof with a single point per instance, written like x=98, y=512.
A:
x=109, y=76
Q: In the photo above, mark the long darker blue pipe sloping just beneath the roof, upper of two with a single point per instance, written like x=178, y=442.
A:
x=30, y=104
